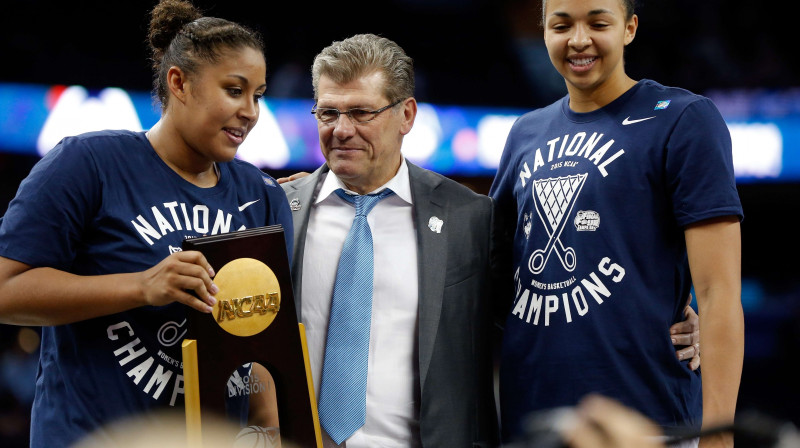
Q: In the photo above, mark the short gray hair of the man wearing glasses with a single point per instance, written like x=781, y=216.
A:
x=349, y=59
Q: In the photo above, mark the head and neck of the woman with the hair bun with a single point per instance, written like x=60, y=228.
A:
x=209, y=78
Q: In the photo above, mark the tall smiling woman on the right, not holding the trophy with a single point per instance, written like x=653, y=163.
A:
x=614, y=202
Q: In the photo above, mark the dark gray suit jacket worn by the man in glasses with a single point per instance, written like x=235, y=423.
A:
x=455, y=366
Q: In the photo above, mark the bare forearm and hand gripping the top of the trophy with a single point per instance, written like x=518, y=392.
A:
x=46, y=296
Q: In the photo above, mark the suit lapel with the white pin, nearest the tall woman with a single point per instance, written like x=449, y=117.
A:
x=431, y=262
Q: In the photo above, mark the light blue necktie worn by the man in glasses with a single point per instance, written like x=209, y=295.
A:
x=343, y=392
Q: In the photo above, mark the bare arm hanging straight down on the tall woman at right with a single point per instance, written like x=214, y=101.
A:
x=714, y=248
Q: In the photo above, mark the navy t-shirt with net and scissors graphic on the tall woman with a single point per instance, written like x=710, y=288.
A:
x=599, y=202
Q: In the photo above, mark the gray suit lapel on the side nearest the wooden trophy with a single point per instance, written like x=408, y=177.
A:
x=300, y=195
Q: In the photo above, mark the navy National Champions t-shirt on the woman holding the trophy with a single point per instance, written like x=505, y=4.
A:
x=104, y=203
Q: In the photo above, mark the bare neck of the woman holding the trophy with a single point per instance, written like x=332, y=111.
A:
x=177, y=154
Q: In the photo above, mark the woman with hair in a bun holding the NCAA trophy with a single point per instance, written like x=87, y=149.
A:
x=90, y=246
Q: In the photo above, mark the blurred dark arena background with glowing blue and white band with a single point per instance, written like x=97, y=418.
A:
x=479, y=63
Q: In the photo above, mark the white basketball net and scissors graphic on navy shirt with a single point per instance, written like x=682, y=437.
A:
x=554, y=199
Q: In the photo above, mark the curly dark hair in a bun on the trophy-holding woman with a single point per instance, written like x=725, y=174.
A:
x=181, y=36
